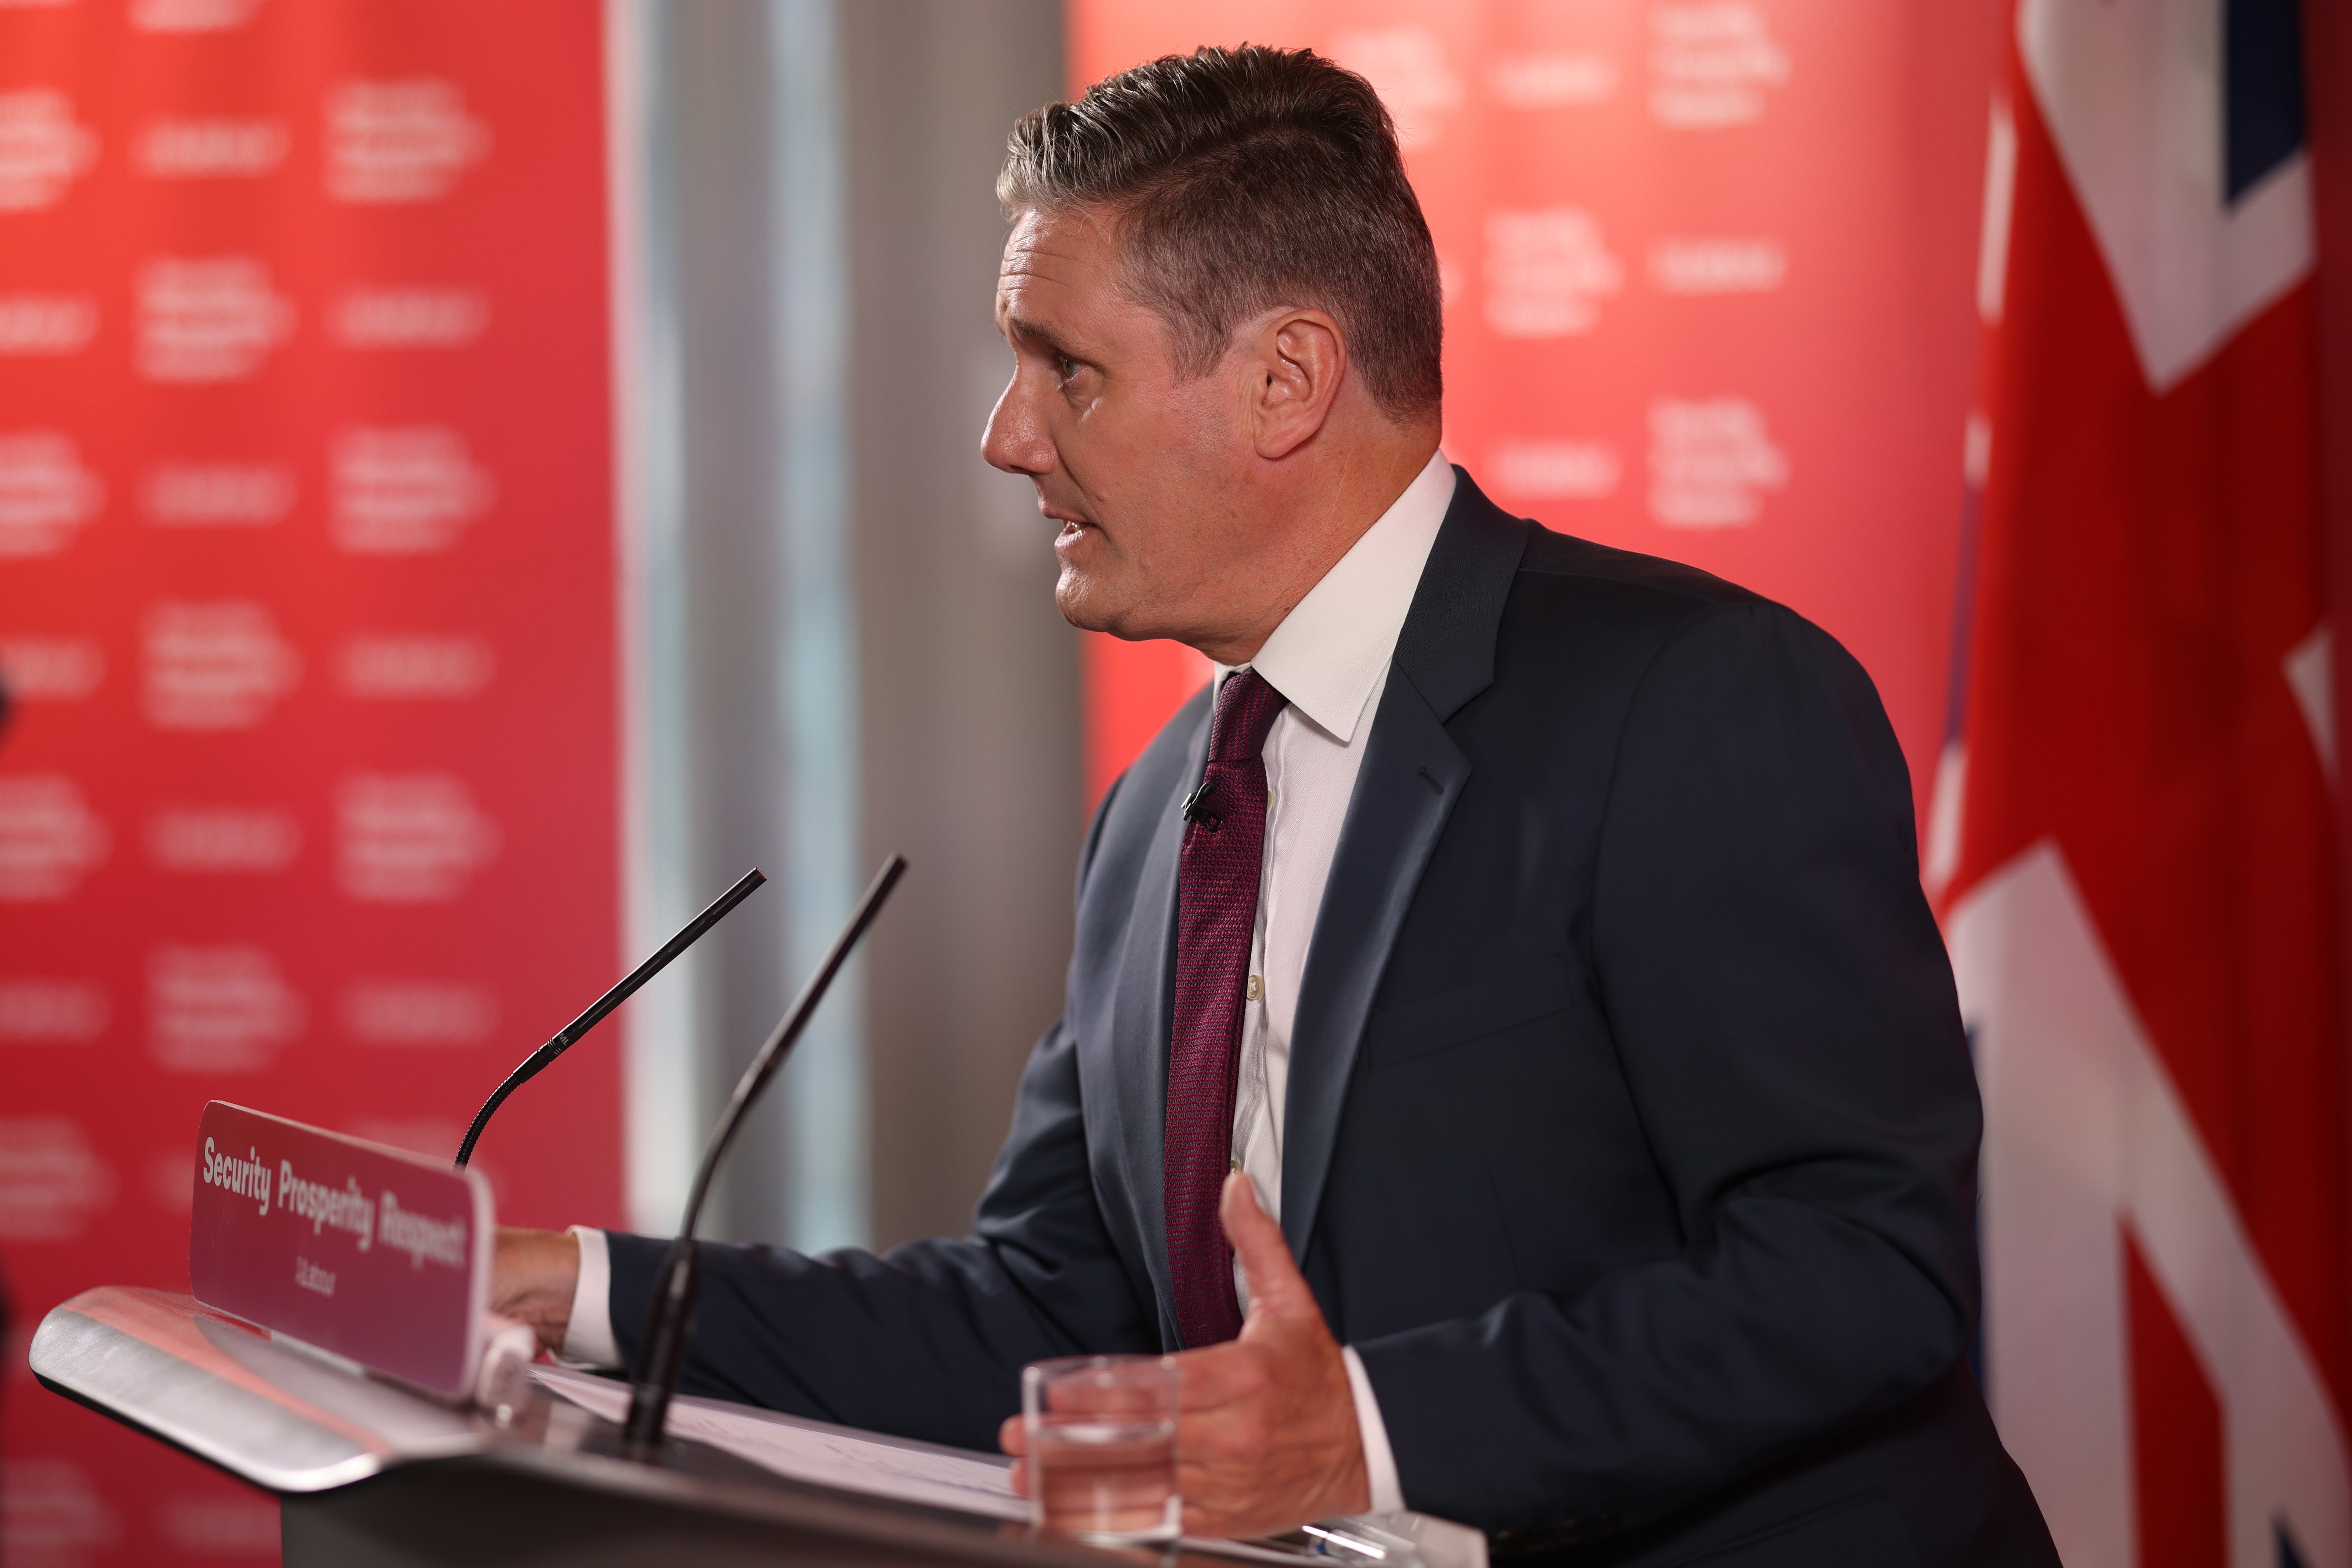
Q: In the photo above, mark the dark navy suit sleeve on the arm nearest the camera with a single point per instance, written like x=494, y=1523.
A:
x=1784, y=1012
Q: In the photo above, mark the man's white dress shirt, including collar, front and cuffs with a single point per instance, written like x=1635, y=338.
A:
x=1330, y=659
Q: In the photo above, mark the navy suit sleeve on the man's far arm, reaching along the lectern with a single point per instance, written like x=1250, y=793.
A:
x=926, y=1341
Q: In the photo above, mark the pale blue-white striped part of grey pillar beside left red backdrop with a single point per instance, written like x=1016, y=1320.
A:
x=744, y=713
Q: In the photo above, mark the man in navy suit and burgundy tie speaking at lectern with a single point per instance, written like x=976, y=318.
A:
x=1530, y=930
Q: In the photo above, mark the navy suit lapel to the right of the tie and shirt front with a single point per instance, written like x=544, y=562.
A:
x=1403, y=798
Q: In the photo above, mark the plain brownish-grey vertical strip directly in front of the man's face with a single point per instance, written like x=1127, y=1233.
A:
x=968, y=674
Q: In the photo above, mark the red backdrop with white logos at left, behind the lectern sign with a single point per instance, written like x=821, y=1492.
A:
x=307, y=596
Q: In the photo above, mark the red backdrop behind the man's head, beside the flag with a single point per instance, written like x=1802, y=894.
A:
x=1709, y=288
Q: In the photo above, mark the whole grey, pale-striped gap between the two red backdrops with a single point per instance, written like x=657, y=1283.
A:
x=846, y=638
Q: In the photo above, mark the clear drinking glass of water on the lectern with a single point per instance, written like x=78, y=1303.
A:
x=1102, y=1447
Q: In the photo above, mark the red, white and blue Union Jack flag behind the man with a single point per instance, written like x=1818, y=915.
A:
x=2132, y=836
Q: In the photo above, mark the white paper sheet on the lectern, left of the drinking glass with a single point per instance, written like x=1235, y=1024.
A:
x=820, y=1454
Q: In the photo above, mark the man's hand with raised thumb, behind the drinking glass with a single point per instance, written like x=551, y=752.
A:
x=1267, y=1433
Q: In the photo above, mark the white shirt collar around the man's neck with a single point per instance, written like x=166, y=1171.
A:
x=1332, y=648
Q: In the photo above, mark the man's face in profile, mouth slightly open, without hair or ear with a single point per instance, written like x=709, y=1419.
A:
x=1144, y=471
